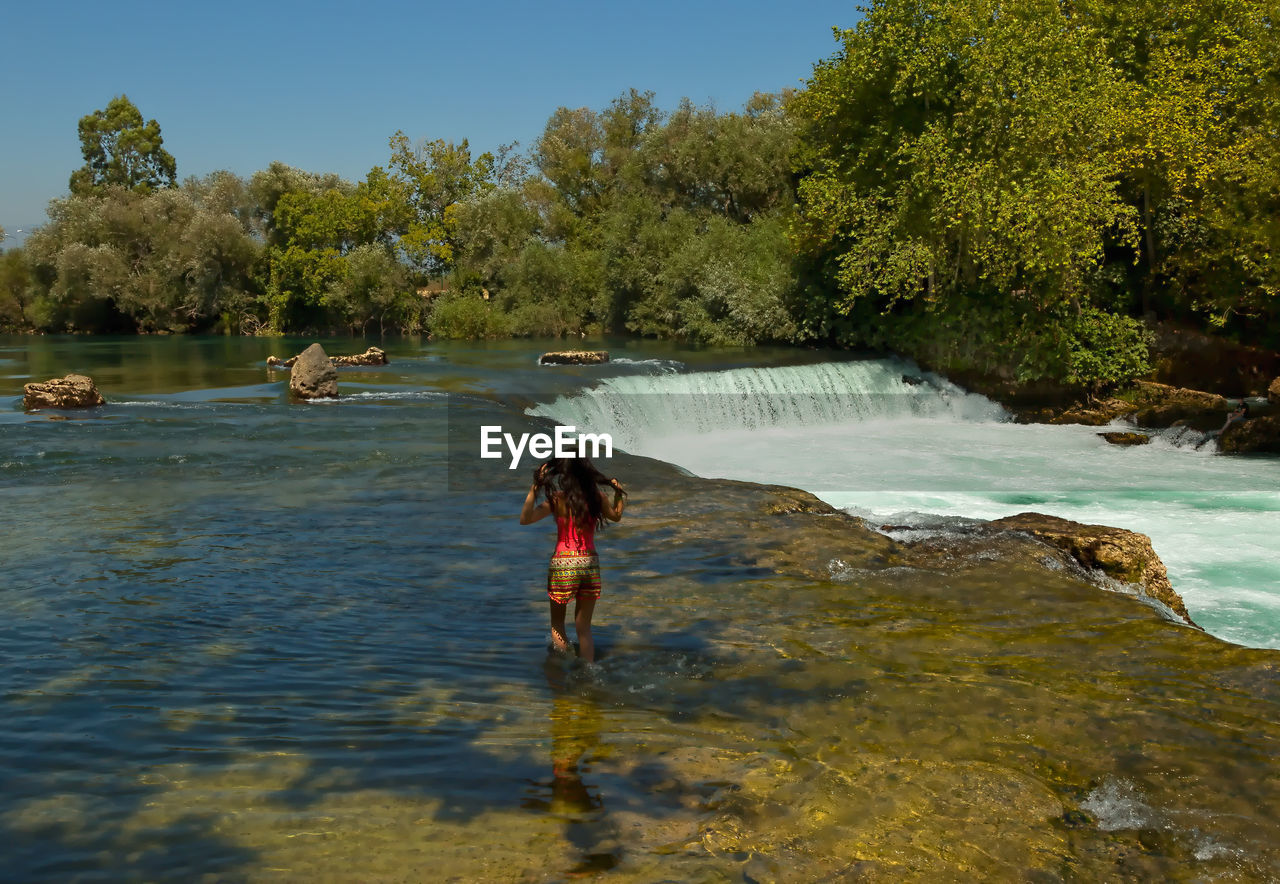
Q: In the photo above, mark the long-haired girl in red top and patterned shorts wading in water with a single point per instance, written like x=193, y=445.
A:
x=570, y=489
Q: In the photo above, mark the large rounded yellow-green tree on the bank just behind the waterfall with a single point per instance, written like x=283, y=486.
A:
x=961, y=164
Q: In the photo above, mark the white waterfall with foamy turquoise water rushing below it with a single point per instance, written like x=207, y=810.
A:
x=890, y=445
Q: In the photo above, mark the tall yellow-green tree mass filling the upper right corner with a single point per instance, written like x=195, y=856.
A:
x=1026, y=170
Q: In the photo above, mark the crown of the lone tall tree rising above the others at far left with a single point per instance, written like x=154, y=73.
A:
x=122, y=150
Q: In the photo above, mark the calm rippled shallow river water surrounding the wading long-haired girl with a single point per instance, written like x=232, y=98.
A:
x=253, y=640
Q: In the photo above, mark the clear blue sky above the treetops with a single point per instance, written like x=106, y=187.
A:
x=323, y=86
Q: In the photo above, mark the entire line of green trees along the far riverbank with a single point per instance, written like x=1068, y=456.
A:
x=1011, y=187
